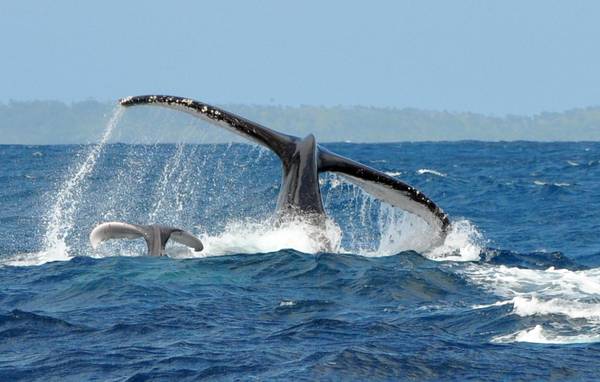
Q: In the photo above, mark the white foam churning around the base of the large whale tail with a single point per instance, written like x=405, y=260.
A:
x=399, y=232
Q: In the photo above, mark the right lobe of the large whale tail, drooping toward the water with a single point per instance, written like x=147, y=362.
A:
x=385, y=188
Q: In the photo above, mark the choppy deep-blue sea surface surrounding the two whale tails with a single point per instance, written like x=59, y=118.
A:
x=512, y=294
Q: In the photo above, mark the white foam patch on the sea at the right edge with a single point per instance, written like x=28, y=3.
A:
x=567, y=302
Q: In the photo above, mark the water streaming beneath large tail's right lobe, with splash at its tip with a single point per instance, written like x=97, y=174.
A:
x=373, y=228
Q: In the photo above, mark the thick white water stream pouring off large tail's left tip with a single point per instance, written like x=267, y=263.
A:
x=61, y=216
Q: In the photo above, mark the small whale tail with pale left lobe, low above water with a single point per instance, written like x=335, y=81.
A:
x=156, y=236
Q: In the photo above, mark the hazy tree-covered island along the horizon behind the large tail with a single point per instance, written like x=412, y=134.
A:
x=53, y=122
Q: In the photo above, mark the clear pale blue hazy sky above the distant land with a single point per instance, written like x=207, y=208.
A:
x=483, y=56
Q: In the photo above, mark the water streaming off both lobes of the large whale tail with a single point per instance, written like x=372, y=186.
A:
x=223, y=192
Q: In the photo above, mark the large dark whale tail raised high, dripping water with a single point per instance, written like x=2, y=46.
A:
x=302, y=160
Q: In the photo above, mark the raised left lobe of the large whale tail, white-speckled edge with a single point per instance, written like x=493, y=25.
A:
x=283, y=145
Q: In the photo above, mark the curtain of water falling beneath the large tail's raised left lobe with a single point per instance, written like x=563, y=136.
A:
x=196, y=186
